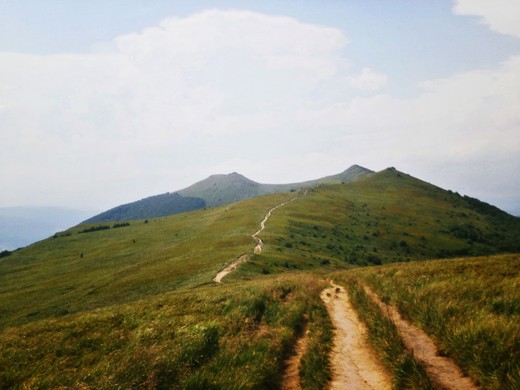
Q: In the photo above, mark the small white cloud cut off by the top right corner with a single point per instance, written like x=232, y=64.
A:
x=499, y=15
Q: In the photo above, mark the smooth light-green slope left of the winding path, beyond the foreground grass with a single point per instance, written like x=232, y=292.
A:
x=77, y=271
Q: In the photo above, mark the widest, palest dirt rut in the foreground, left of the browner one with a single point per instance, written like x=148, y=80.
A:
x=354, y=365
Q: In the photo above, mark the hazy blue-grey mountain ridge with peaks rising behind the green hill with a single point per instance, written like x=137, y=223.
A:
x=216, y=190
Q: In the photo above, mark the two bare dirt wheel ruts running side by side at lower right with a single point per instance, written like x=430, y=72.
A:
x=353, y=363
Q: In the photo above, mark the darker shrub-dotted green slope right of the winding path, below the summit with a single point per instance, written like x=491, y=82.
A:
x=383, y=217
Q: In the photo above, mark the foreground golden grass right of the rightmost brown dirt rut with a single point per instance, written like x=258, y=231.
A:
x=470, y=306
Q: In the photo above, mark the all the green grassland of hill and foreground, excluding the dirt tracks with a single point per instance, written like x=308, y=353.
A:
x=134, y=305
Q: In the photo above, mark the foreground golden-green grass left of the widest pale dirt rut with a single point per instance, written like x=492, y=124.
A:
x=219, y=337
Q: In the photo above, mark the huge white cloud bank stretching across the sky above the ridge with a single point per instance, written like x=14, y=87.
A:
x=238, y=91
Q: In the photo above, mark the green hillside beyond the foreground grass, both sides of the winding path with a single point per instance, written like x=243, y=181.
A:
x=384, y=217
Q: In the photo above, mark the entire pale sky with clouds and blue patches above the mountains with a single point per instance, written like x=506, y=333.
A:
x=104, y=103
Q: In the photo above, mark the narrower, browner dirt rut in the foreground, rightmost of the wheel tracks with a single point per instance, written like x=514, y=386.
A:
x=441, y=370
